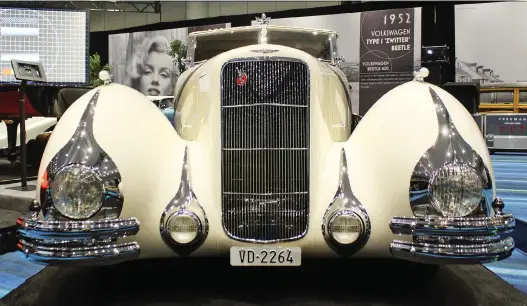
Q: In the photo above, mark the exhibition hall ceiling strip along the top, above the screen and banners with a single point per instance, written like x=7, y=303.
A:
x=110, y=15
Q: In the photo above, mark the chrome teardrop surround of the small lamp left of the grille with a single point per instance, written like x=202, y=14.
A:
x=184, y=202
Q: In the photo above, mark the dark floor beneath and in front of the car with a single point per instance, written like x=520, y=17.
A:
x=196, y=283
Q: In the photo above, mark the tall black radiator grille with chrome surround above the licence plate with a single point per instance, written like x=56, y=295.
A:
x=265, y=150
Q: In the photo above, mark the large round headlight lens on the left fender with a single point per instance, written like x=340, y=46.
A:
x=76, y=192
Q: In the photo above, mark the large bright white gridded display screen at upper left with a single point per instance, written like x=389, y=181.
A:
x=58, y=39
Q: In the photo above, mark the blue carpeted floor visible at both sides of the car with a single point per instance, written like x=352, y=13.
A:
x=511, y=181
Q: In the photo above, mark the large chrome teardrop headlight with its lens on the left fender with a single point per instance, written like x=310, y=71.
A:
x=81, y=181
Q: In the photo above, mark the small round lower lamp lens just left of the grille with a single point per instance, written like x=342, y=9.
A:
x=183, y=228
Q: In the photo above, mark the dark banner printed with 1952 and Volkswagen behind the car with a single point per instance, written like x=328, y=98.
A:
x=386, y=53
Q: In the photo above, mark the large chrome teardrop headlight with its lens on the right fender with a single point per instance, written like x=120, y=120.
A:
x=450, y=179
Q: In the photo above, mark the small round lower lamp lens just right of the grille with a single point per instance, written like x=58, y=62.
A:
x=346, y=227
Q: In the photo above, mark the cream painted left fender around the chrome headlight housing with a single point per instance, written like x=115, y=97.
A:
x=144, y=146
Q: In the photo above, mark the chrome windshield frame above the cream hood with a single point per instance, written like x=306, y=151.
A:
x=332, y=36
